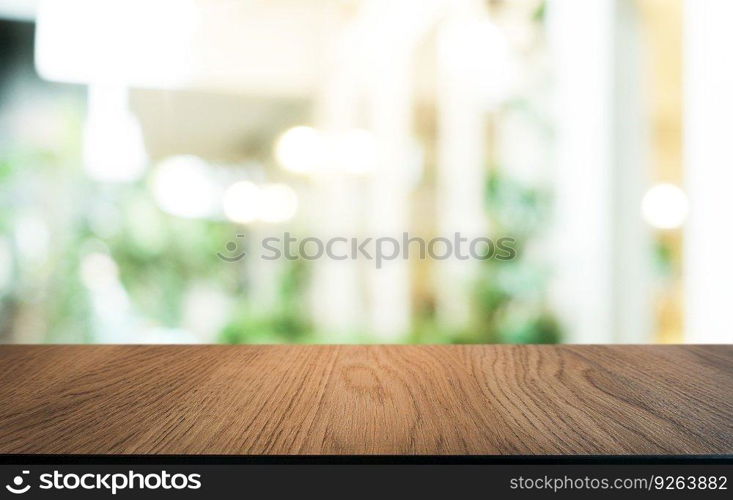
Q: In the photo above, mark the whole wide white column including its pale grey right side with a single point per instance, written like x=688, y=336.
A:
x=602, y=254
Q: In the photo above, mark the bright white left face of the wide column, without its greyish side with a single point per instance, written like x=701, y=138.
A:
x=581, y=41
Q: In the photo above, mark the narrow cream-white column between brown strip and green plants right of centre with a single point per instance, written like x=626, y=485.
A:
x=462, y=160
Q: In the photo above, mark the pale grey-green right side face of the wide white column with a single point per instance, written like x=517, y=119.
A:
x=631, y=240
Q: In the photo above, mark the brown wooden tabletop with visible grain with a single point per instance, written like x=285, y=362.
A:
x=489, y=400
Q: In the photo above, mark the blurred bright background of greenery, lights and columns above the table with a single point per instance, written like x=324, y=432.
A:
x=138, y=139
